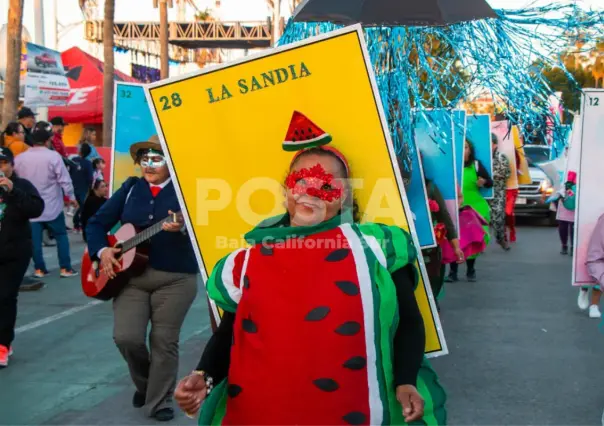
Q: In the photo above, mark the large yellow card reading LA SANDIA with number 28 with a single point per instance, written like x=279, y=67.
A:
x=223, y=129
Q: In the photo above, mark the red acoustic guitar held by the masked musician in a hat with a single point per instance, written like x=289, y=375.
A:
x=133, y=261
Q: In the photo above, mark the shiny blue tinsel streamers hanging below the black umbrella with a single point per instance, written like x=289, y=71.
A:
x=418, y=68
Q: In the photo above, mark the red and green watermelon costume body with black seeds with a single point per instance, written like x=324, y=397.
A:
x=313, y=336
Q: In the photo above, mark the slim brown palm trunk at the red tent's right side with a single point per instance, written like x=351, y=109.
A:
x=108, y=73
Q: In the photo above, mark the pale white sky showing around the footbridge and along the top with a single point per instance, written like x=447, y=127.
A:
x=231, y=10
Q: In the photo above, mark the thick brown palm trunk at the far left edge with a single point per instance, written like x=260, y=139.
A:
x=13, y=61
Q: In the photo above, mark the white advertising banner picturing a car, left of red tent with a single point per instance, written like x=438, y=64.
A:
x=45, y=79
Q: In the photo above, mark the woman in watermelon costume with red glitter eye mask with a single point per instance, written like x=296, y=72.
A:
x=321, y=325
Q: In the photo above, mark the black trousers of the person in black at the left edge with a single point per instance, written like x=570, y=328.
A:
x=12, y=272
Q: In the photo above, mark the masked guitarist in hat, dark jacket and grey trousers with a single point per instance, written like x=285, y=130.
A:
x=163, y=293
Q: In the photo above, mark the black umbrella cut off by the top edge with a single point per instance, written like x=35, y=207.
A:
x=390, y=13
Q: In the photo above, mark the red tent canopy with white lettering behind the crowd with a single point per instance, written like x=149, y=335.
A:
x=85, y=75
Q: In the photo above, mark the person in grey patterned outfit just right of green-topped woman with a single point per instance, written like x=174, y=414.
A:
x=501, y=174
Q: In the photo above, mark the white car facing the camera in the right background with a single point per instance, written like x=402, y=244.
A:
x=531, y=197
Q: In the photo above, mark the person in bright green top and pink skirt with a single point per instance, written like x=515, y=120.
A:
x=475, y=176
